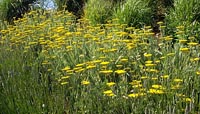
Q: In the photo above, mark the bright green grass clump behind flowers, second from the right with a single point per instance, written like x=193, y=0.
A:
x=134, y=13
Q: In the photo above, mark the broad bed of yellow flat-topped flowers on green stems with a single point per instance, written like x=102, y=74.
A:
x=51, y=63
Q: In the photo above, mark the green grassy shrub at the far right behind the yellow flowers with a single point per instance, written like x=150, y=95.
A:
x=185, y=13
